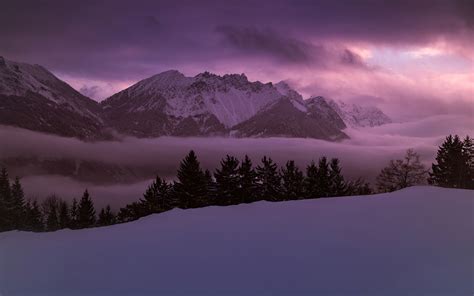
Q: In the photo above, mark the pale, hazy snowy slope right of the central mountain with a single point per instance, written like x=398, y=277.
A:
x=356, y=115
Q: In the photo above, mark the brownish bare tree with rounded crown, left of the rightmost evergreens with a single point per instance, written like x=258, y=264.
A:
x=401, y=173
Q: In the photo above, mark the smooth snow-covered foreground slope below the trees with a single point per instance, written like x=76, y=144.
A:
x=417, y=241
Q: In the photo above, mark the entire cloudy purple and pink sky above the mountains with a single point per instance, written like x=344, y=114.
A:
x=411, y=58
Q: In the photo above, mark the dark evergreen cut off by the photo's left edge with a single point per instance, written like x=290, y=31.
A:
x=6, y=206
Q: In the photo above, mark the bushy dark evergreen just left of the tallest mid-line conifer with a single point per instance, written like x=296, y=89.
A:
x=157, y=198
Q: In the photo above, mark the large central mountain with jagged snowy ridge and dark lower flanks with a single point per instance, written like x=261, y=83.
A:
x=170, y=103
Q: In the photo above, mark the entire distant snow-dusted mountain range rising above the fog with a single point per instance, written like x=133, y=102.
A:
x=171, y=104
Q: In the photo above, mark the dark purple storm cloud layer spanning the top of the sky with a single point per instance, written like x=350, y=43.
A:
x=133, y=39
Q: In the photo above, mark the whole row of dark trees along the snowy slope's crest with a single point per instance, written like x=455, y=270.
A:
x=234, y=182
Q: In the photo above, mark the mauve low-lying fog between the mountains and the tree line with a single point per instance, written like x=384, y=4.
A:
x=363, y=155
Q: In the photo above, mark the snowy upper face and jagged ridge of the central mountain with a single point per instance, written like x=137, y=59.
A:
x=231, y=98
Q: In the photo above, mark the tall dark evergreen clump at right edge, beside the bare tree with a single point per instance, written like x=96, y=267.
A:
x=454, y=164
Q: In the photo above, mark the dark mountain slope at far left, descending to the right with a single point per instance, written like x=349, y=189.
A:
x=32, y=97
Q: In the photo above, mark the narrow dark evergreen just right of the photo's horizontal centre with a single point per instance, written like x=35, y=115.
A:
x=247, y=182
